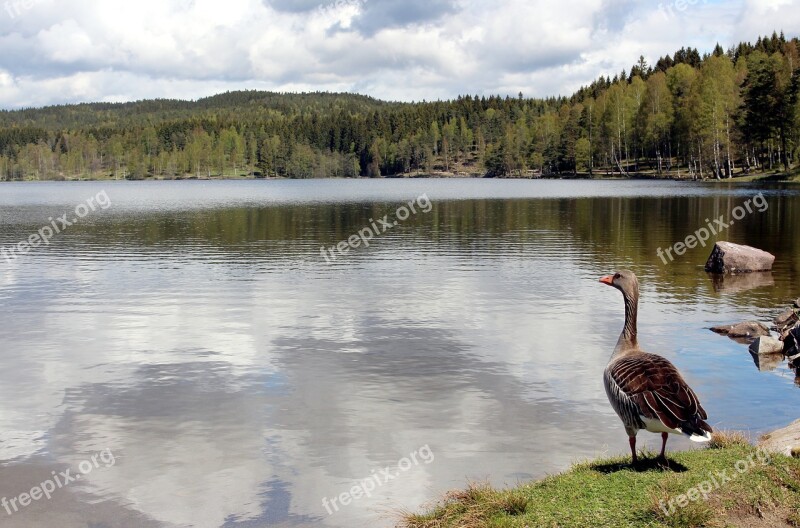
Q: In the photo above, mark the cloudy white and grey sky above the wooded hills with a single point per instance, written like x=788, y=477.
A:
x=67, y=51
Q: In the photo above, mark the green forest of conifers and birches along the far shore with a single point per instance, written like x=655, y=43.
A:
x=717, y=115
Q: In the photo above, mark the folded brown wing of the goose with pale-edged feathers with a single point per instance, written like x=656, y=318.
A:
x=660, y=392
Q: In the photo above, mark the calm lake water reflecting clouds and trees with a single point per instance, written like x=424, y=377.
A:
x=192, y=336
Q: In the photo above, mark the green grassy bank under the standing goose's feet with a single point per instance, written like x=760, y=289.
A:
x=612, y=493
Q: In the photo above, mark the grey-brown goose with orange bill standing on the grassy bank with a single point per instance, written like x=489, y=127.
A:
x=646, y=390
